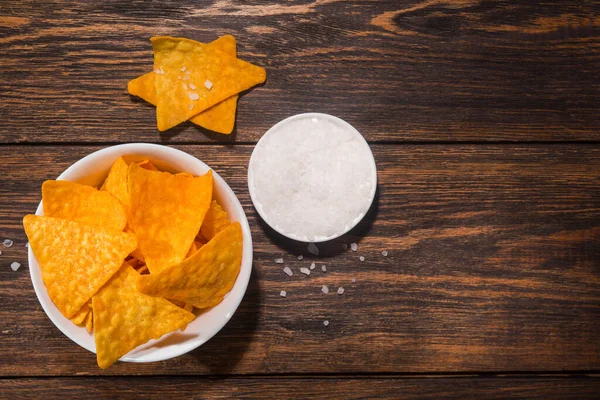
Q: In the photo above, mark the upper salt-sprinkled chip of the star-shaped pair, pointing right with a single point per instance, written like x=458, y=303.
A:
x=215, y=74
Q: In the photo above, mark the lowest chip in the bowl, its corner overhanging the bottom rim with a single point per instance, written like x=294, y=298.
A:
x=125, y=318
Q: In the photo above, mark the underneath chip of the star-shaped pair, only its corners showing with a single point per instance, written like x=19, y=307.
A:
x=219, y=118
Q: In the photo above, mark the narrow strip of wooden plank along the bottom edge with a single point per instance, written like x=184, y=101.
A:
x=324, y=388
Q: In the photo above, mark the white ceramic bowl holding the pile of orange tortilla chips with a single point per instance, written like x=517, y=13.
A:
x=92, y=170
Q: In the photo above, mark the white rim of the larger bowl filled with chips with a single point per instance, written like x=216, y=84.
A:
x=229, y=304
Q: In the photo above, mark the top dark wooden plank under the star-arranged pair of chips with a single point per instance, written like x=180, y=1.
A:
x=412, y=70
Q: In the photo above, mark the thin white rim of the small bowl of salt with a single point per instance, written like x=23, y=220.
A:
x=336, y=120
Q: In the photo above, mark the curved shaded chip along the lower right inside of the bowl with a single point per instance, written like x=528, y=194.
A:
x=205, y=277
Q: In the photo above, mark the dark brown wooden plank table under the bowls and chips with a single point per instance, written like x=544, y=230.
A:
x=483, y=119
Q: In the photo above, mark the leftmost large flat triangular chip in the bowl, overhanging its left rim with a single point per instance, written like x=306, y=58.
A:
x=75, y=259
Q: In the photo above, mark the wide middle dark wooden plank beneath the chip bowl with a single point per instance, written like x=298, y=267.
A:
x=492, y=266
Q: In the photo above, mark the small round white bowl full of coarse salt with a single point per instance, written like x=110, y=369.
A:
x=312, y=177
